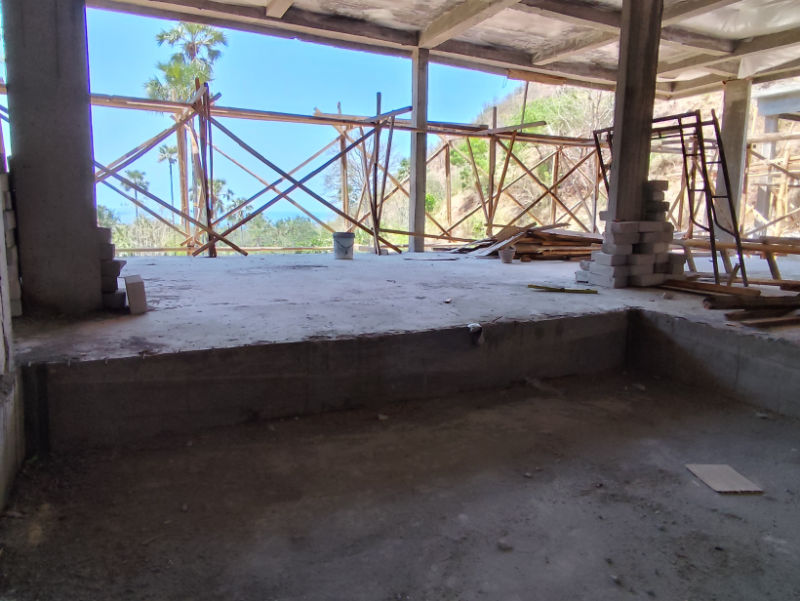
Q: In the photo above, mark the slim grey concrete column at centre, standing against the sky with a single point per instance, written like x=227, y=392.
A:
x=419, y=148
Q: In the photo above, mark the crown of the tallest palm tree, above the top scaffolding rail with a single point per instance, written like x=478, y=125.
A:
x=198, y=50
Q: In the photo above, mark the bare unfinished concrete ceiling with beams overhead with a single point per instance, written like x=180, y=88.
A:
x=703, y=42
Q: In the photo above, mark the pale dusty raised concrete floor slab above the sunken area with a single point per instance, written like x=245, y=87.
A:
x=234, y=301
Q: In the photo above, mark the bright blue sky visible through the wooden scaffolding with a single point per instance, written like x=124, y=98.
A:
x=267, y=73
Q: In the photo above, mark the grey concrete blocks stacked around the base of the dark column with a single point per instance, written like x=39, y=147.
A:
x=636, y=253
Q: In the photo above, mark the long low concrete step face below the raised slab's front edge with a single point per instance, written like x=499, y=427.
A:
x=118, y=401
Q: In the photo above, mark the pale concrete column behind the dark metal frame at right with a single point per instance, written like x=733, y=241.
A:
x=734, y=126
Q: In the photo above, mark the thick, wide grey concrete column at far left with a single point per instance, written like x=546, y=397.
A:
x=51, y=137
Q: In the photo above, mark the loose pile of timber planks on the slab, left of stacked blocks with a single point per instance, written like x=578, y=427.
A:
x=542, y=242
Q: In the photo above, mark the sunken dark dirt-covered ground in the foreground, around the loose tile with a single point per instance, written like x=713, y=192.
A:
x=565, y=489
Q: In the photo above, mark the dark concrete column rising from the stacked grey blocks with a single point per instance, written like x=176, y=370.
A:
x=633, y=107
